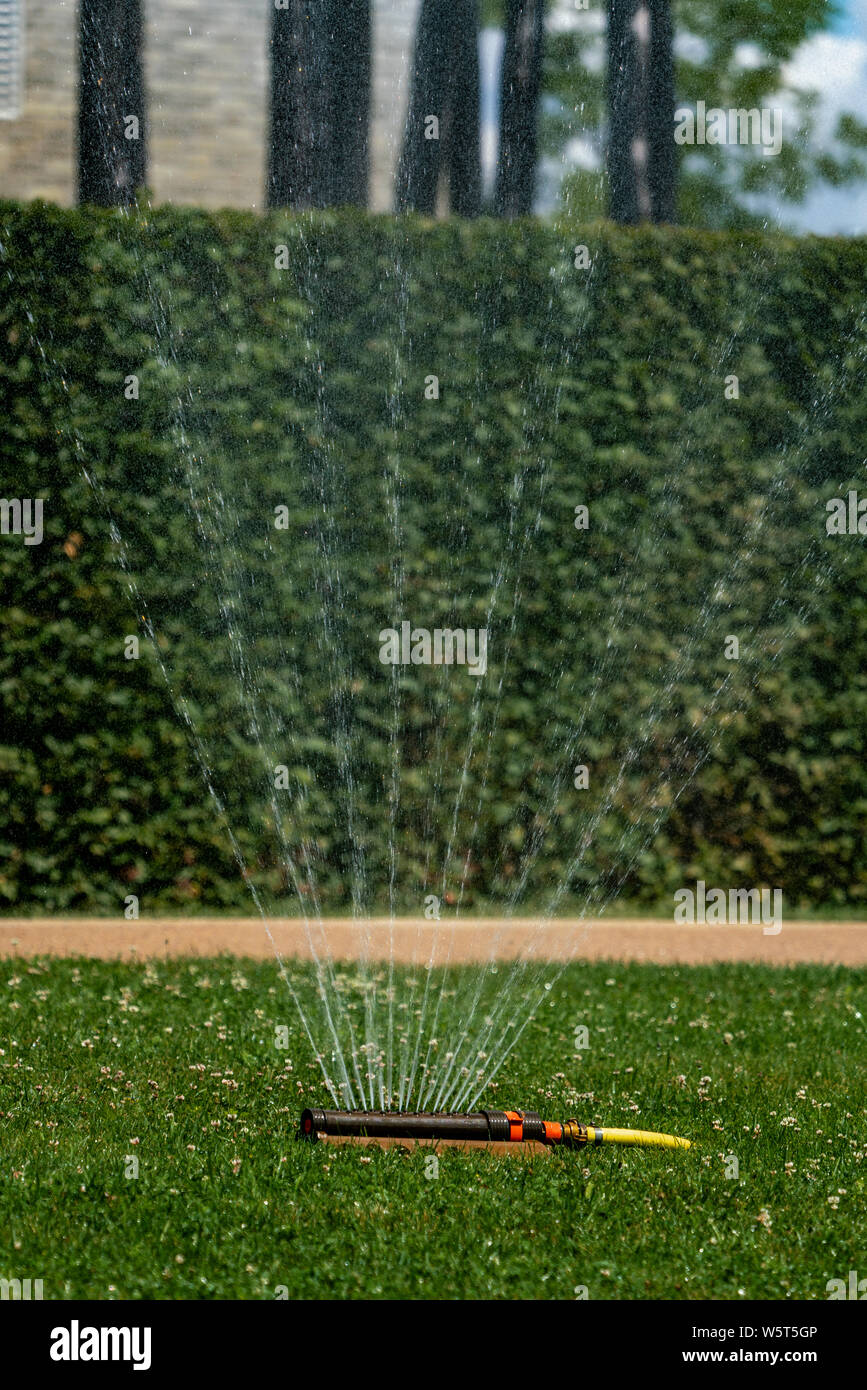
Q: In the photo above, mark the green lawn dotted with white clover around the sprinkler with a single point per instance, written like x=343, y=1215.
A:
x=104, y=1061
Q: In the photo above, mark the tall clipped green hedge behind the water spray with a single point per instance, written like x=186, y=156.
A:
x=305, y=387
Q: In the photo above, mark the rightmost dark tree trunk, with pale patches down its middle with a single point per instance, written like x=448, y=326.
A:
x=641, y=112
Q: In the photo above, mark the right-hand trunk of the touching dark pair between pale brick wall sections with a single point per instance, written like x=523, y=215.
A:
x=349, y=98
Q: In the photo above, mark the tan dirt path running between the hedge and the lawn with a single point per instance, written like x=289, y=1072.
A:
x=415, y=942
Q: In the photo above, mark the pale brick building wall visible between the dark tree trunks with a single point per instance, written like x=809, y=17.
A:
x=206, y=66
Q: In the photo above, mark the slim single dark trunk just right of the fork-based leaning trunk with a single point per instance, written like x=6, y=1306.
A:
x=519, y=108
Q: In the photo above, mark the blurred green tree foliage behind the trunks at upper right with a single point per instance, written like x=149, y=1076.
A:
x=729, y=54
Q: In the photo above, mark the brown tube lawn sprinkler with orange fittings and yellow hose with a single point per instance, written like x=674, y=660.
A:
x=483, y=1127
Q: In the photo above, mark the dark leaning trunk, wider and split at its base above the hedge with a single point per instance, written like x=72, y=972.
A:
x=445, y=85
